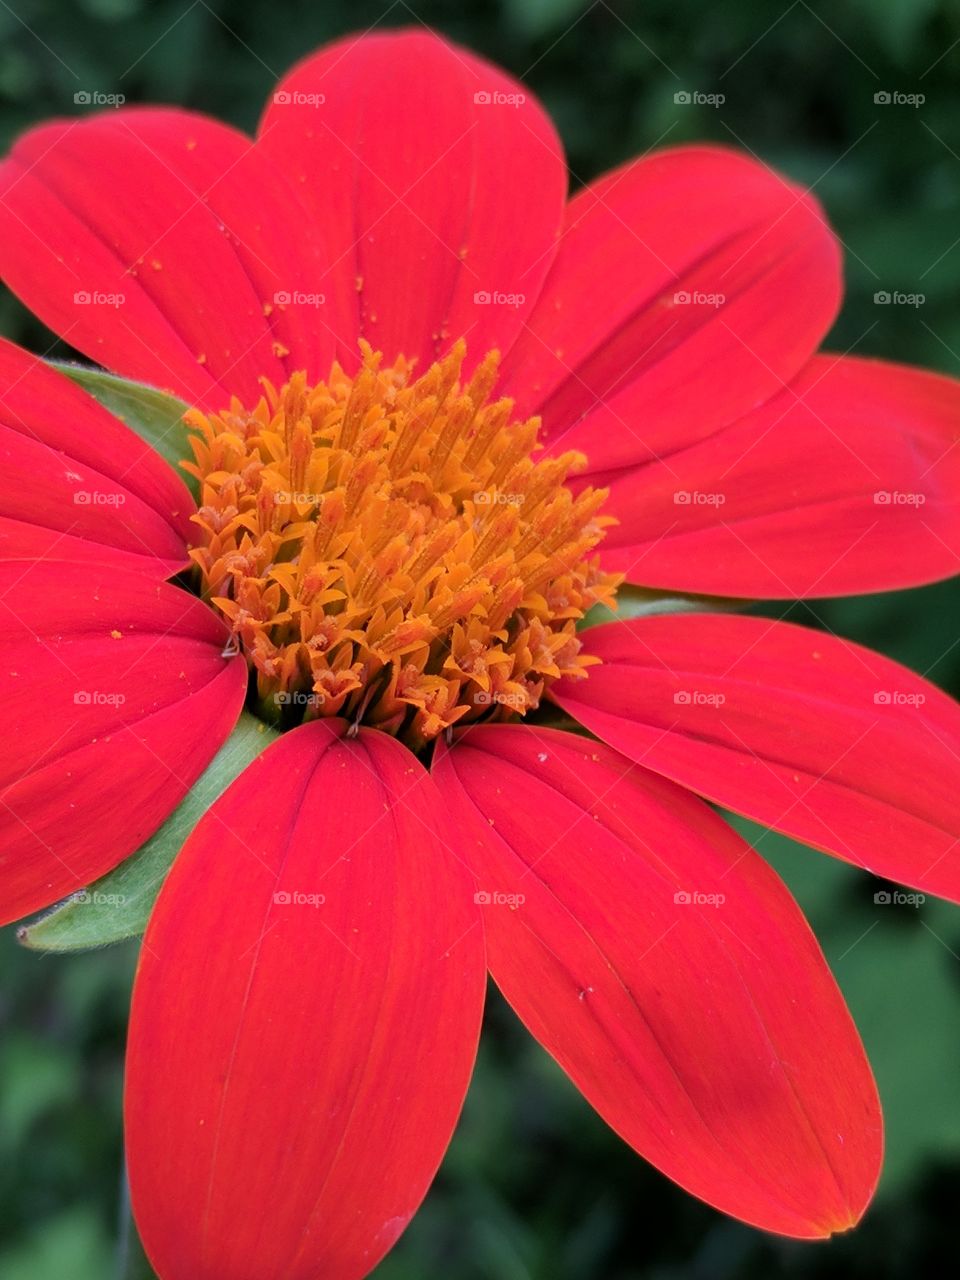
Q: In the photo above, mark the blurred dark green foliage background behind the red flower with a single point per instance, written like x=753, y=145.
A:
x=536, y=1187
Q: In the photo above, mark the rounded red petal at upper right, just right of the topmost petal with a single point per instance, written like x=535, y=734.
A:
x=624, y=372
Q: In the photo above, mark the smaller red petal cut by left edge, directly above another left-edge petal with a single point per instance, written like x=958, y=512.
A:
x=74, y=470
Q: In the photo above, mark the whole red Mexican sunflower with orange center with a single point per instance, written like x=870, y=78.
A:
x=437, y=413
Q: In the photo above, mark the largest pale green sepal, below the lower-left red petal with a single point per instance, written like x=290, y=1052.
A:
x=118, y=906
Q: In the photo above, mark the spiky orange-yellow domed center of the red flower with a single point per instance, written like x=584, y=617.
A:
x=387, y=547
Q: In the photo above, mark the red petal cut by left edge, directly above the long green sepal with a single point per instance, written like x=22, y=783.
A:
x=117, y=698
